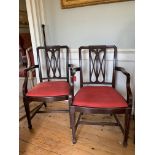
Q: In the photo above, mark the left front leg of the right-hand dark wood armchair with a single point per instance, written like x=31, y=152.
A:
x=72, y=116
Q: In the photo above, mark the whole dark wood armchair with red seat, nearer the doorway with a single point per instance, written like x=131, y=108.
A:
x=54, y=80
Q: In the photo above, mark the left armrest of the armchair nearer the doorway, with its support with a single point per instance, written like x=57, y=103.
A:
x=26, y=78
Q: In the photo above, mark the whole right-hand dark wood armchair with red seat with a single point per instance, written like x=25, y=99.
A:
x=97, y=93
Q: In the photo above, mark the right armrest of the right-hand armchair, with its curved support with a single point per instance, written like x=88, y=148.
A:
x=129, y=93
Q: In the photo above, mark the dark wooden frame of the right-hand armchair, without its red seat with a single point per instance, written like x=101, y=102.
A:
x=97, y=56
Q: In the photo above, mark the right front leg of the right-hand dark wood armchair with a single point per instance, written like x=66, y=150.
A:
x=126, y=129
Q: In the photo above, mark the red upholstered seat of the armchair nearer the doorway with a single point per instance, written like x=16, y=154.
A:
x=51, y=88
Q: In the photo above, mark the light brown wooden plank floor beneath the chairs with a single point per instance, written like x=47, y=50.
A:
x=51, y=135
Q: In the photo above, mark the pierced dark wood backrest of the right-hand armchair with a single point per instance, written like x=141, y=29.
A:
x=98, y=64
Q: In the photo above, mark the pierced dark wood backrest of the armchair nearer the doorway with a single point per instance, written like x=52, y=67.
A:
x=55, y=64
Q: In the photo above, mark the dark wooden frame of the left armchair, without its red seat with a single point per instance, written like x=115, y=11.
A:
x=52, y=60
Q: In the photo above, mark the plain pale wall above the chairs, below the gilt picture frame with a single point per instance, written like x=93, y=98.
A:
x=98, y=24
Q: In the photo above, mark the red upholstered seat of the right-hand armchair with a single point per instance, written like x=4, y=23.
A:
x=99, y=96
